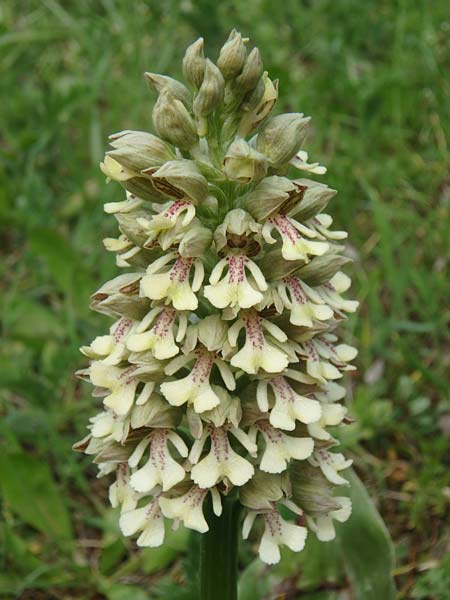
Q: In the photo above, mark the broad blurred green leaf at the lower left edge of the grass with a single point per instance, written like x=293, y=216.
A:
x=28, y=487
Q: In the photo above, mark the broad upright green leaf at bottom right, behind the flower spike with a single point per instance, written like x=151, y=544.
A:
x=366, y=547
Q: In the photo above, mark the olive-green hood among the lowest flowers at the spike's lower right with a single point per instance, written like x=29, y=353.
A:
x=311, y=491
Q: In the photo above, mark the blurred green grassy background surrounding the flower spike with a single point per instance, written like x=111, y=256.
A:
x=374, y=76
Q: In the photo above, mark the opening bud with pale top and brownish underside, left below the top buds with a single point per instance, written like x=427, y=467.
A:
x=180, y=179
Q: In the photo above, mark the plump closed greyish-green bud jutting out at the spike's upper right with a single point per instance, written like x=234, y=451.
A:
x=281, y=137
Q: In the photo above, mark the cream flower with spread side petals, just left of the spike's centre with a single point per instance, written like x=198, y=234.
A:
x=196, y=388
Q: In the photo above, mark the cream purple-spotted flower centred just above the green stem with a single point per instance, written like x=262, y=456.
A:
x=222, y=462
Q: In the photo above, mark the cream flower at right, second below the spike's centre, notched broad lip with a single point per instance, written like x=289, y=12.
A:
x=289, y=406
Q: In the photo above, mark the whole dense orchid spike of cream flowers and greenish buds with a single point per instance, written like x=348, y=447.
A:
x=219, y=373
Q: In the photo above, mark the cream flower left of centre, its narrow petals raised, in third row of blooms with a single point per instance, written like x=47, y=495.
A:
x=160, y=338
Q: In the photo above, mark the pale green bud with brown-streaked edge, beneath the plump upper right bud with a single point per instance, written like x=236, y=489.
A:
x=272, y=195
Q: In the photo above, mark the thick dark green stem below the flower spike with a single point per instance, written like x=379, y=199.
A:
x=219, y=553
